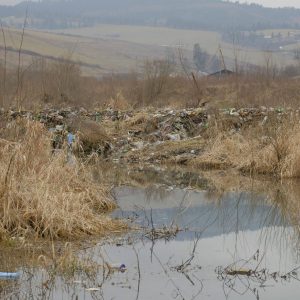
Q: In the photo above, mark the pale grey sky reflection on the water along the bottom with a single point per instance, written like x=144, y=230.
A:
x=161, y=282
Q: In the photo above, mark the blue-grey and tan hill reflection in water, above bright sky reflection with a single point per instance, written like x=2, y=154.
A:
x=193, y=210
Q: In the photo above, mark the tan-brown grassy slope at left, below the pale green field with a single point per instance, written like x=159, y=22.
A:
x=106, y=55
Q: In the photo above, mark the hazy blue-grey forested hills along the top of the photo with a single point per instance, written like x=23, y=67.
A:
x=214, y=15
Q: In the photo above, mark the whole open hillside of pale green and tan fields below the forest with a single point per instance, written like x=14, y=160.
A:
x=119, y=48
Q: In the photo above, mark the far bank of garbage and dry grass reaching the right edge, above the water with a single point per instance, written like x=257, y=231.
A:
x=251, y=140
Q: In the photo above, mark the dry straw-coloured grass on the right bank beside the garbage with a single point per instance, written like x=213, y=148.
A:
x=261, y=145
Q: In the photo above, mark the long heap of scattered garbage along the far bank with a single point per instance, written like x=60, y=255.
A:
x=113, y=133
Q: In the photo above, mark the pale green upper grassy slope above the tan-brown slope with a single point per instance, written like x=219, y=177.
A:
x=161, y=36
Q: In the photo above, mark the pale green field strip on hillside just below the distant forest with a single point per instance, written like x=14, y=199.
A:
x=170, y=38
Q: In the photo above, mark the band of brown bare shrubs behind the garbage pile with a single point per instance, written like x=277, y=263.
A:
x=158, y=83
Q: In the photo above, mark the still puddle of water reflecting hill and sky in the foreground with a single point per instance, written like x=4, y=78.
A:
x=239, y=245
